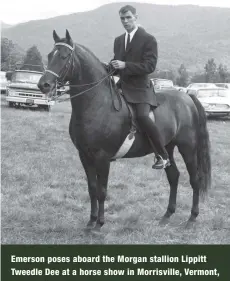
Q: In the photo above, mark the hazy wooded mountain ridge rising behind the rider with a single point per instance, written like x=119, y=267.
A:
x=185, y=34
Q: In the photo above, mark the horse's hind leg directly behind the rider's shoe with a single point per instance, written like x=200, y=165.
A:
x=173, y=174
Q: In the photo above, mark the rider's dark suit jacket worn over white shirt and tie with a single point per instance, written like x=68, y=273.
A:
x=141, y=60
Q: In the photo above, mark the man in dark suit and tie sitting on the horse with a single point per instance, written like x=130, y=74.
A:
x=135, y=57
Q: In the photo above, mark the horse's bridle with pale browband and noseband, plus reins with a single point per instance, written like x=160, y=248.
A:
x=96, y=83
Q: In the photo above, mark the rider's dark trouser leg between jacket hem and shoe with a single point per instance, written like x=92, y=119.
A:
x=149, y=127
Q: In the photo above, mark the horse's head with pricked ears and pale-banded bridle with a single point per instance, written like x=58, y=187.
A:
x=60, y=63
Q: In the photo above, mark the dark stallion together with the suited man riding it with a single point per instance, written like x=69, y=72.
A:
x=97, y=130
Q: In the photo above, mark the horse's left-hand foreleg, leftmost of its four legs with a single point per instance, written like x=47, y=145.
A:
x=92, y=188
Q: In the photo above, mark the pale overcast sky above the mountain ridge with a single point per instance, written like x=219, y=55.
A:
x=16, y=11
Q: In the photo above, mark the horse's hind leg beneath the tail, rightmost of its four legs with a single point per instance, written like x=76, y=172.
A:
x=189, y=155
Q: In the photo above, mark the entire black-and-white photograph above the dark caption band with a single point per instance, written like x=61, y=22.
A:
x=115, y=122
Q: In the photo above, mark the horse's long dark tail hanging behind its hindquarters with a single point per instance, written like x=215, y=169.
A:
x=203, y=149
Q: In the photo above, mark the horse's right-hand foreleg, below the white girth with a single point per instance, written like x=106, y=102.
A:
x=102, y=164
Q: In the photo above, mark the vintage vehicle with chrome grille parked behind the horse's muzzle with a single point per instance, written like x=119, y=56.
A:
x=23, y=90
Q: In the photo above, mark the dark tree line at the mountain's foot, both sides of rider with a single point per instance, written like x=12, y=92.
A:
x=12, y=56
